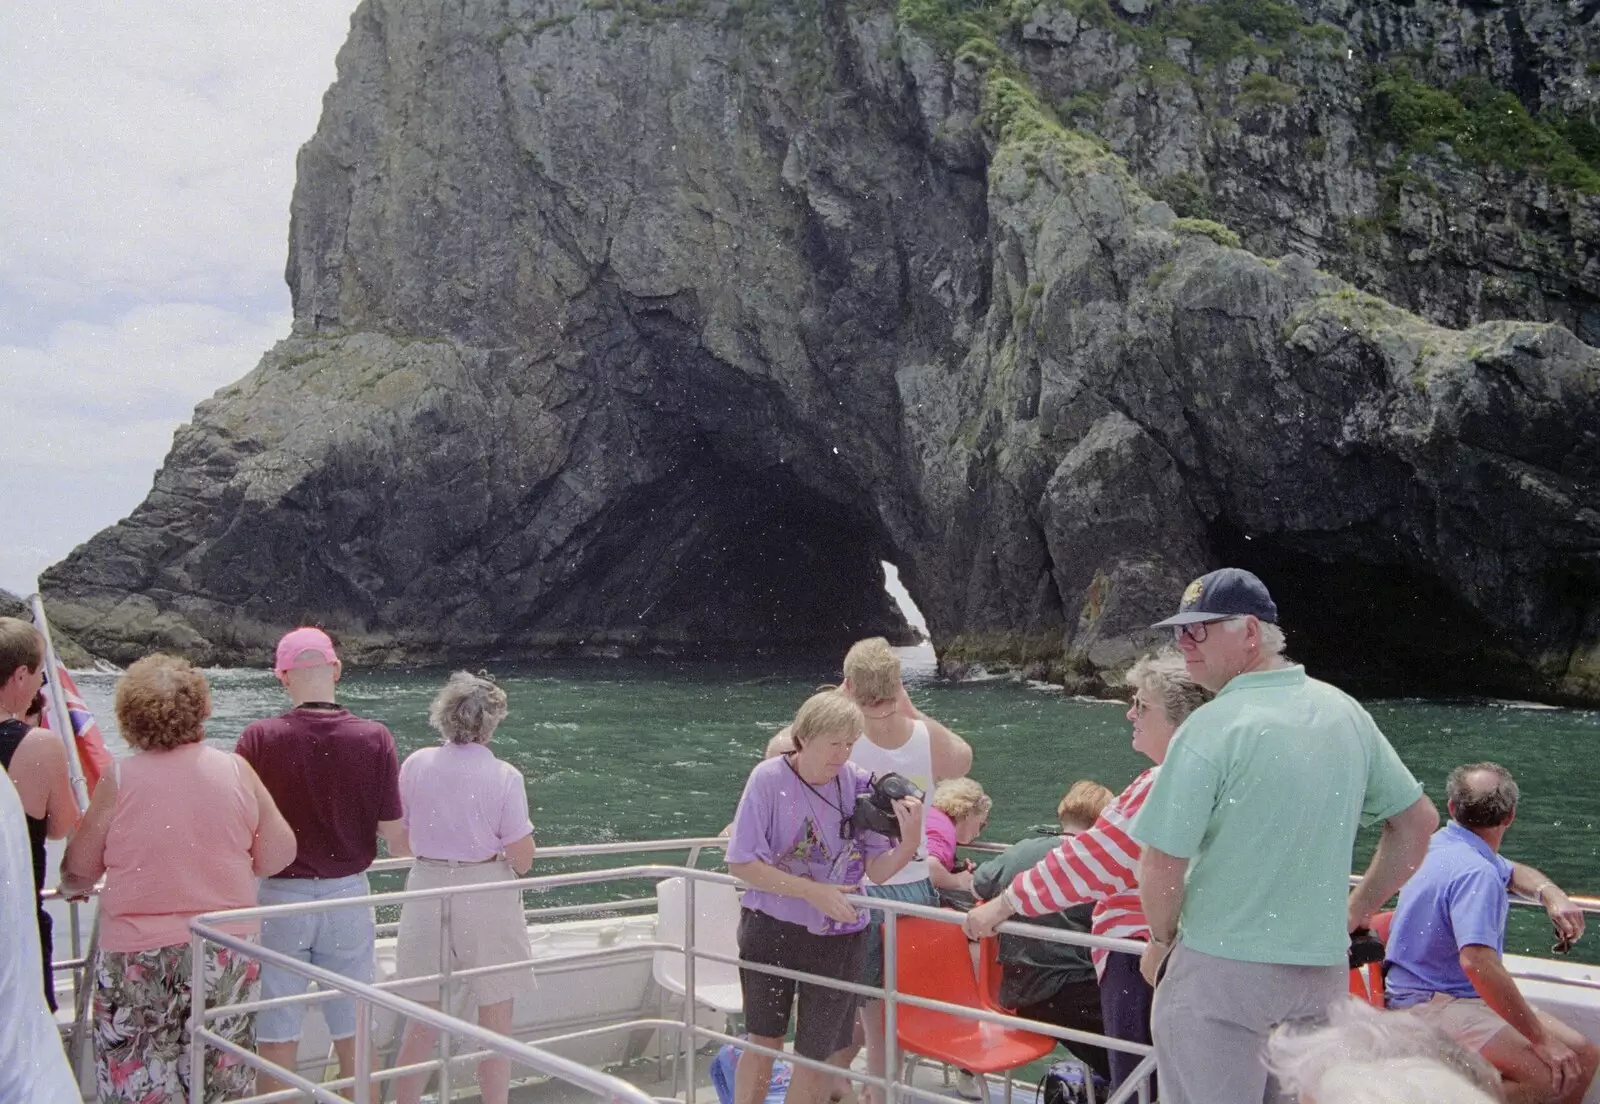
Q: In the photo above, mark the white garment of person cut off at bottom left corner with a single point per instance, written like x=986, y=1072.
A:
x=33, y=1065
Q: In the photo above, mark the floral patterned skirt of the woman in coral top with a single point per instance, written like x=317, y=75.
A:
x=142, y=1025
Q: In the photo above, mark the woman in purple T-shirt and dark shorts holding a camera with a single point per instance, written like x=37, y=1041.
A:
x=794, y=846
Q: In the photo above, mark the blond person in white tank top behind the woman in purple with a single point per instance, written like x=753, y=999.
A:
x=902, y=740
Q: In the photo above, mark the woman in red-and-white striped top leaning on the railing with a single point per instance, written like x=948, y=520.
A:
x=1103, y=863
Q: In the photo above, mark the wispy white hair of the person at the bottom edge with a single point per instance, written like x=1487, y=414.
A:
x=1359, y=1034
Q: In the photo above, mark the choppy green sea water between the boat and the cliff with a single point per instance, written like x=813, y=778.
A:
x=650, y=750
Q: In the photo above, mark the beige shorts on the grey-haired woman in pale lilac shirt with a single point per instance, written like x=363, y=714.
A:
x=486, y=930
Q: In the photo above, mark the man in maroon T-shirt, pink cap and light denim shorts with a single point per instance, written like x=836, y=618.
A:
x=337, y=782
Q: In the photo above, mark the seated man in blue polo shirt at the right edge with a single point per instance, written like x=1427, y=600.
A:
x=1449, y=937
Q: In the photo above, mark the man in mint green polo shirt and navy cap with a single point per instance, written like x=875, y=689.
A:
x=1247, y=846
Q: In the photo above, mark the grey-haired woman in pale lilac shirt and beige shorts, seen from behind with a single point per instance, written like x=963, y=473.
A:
x=466, y=814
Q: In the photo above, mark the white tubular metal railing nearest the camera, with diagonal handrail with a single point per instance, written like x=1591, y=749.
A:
x=537, y=1054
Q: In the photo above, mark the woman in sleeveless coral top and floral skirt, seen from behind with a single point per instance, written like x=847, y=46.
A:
x=178, y=830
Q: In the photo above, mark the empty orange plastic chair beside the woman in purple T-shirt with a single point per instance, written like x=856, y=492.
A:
x=934, y=962
